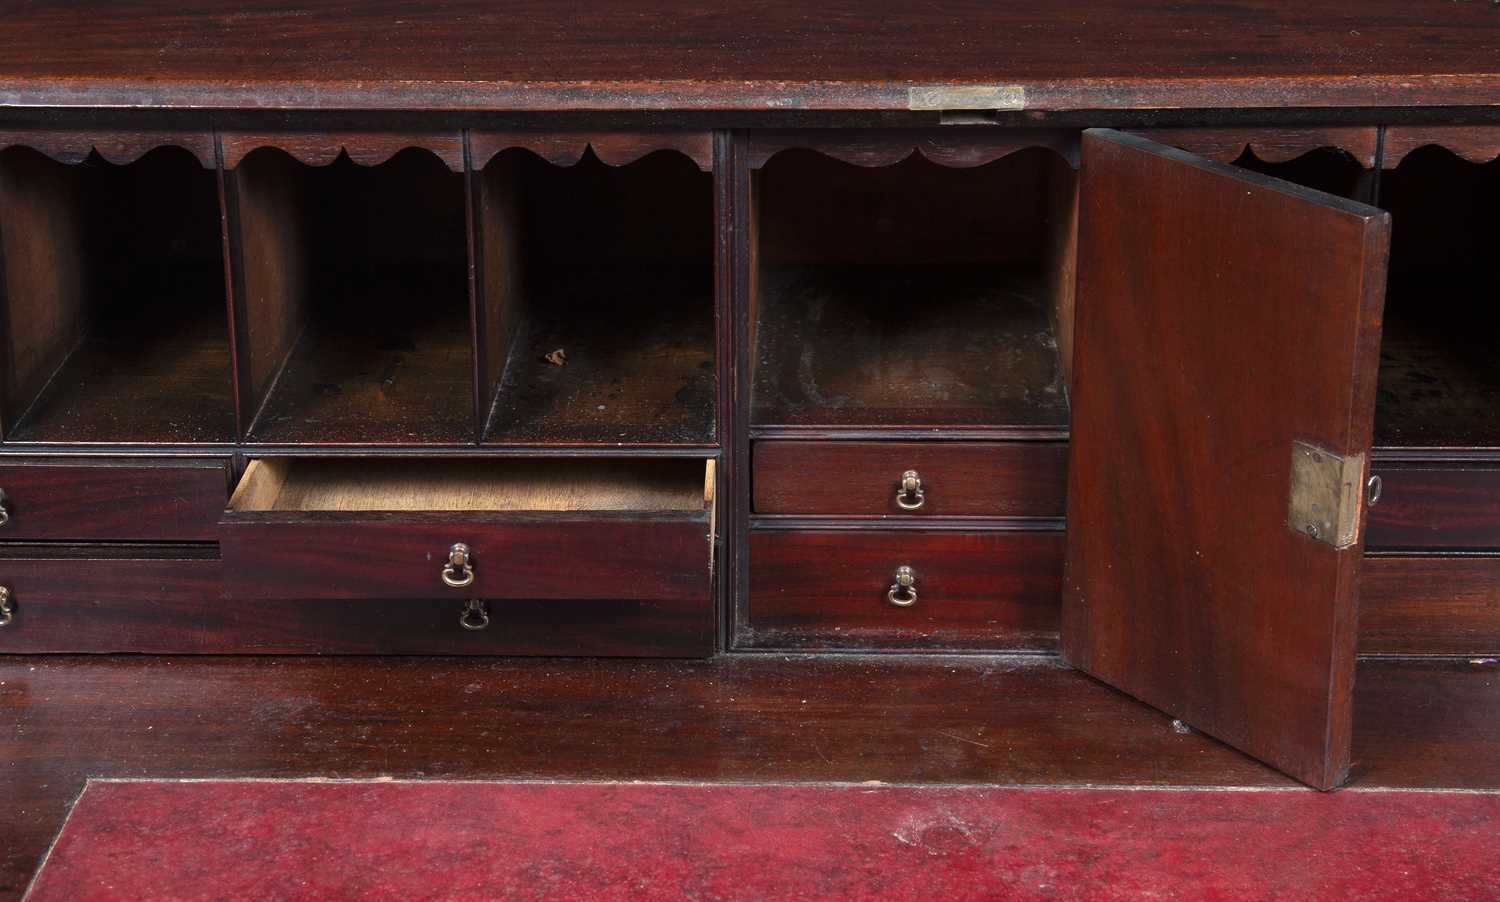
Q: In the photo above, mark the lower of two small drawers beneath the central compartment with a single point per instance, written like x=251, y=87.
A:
x=830, y=589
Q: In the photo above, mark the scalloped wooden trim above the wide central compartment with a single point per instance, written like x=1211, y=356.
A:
x=961, y=148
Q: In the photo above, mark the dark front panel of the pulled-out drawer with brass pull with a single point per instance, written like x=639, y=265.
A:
x=512, y=558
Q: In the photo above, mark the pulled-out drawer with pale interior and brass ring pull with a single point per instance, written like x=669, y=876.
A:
x=461, y=529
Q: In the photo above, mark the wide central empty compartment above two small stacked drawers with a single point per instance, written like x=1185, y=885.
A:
x=913, y=295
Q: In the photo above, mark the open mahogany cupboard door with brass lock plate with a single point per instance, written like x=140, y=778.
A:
x=1225, y=382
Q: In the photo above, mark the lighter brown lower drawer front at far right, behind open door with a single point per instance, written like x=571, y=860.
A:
x=1430, y=604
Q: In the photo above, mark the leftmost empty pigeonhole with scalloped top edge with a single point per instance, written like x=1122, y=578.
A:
x=113, y=301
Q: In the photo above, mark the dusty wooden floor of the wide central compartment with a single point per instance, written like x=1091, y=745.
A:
x=907, y=346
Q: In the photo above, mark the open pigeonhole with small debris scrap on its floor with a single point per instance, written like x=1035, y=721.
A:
x=598, y=284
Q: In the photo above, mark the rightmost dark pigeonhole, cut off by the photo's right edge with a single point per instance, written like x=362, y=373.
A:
x=1439, y=370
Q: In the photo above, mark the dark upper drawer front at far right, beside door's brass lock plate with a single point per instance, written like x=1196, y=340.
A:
x=1436, y=508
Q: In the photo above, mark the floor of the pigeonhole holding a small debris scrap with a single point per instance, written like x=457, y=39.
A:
x=640, y=359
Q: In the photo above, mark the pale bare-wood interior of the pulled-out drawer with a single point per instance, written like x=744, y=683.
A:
x=461, y=486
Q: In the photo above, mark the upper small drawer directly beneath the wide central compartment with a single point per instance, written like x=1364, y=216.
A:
x=956, y=480
